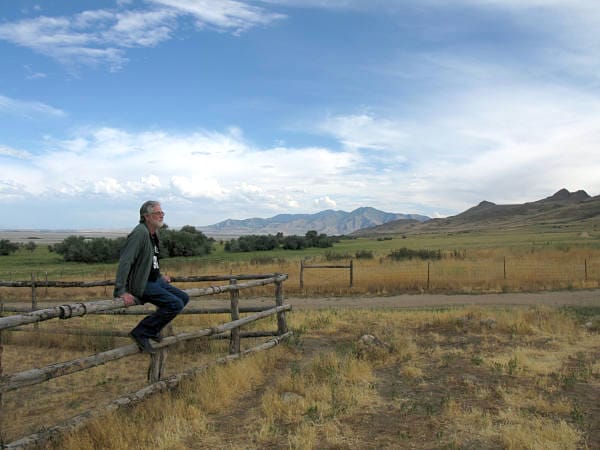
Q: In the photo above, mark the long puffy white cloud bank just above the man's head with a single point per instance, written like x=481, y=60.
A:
x=198, y=166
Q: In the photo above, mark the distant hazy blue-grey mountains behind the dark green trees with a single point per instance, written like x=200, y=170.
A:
x=329, y=222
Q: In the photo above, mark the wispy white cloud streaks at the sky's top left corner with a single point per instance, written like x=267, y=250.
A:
x=102, y=36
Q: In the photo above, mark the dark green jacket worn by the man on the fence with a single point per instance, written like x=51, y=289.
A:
x=135, y=263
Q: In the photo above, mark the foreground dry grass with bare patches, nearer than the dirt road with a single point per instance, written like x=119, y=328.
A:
x=460, y=377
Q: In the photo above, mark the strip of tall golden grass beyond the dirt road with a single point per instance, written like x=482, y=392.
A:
x=502, y=269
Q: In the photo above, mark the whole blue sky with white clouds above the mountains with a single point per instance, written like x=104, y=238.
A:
x=238, y=109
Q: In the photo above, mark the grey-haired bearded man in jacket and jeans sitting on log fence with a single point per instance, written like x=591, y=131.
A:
x=139, y=280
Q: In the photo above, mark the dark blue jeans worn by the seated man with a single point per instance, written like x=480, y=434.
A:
x=169, y=301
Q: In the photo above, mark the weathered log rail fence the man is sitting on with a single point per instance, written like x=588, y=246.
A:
x=156, y=381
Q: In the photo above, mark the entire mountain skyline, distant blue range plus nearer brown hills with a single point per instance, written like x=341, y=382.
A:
x=563, y=209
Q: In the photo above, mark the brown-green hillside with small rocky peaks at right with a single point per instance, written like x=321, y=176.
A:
x=561, y=210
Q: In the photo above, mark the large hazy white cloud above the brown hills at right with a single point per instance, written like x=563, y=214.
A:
x=513, y=142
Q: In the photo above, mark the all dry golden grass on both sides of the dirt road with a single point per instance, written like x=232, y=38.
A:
x=447, y=376
